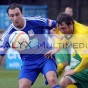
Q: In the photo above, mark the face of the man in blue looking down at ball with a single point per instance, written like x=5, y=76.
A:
x=16, y=17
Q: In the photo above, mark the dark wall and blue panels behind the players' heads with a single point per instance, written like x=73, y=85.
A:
x=46, y=8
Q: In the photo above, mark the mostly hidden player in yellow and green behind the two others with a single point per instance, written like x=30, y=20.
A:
x=63, y=56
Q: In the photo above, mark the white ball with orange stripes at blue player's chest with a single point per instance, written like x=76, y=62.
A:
x=19, y=40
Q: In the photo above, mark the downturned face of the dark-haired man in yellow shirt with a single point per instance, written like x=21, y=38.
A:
x=65, y=29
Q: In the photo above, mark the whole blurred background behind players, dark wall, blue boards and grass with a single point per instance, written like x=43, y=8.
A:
x=45, y=8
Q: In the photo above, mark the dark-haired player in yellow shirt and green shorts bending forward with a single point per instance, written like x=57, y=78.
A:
x=77, y=34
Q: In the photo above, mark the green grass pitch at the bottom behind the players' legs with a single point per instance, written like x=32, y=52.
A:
x=9, y=79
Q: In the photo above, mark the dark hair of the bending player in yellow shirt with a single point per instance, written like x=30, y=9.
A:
x=63, y=17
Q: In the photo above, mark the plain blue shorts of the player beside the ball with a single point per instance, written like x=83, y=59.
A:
x=32, y=70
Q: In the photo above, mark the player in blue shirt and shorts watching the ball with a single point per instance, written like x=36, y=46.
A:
x=33, y=58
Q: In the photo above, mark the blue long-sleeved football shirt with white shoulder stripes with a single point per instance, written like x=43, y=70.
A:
x=34, y=27
